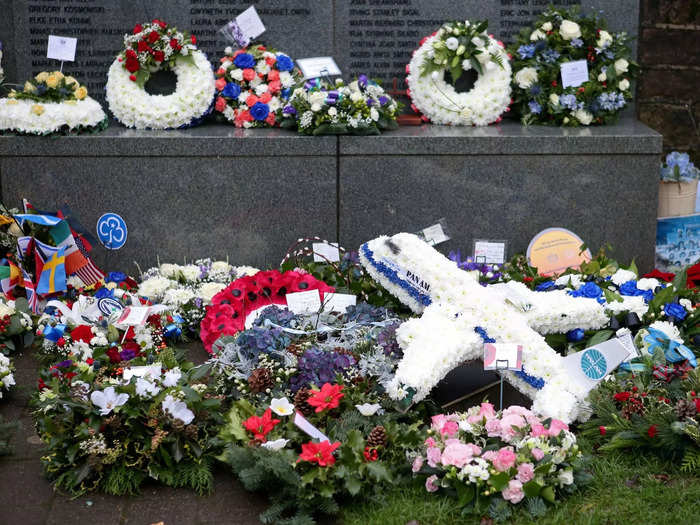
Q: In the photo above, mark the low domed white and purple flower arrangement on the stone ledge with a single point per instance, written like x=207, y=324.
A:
x=320, y=107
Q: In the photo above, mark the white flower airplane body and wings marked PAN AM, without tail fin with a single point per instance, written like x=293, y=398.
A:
x=459, y=315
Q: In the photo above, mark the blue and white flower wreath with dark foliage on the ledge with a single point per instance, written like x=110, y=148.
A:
x=559, y=37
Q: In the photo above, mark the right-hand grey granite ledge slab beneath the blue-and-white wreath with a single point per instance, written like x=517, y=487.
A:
x=629, y=136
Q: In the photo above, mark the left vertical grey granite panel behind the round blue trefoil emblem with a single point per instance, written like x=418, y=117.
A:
x=249, y=209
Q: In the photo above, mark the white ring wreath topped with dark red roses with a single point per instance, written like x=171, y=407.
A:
x=154, y=47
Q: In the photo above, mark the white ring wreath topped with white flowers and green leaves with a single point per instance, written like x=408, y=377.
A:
x=455, y=48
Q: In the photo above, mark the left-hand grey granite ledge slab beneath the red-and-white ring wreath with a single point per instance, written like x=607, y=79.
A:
x=211, y=140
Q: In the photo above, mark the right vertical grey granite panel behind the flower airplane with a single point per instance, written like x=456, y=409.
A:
x=603, y=198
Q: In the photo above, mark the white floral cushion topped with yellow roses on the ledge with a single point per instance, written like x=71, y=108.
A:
x=51, y=103
